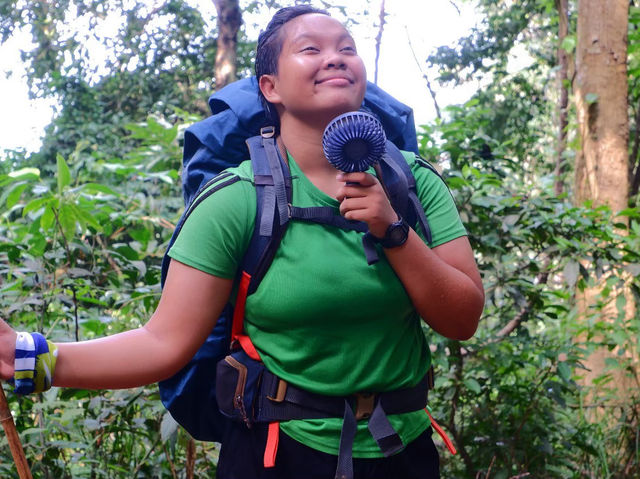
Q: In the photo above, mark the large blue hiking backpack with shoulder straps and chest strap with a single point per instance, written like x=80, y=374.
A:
x=235, y=131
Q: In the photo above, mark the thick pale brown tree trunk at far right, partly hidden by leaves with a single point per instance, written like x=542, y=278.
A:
x=601, y=170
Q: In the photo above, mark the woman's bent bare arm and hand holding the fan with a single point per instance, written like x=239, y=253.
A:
x=443, y=283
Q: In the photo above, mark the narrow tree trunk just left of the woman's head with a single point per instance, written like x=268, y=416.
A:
x=229, y=21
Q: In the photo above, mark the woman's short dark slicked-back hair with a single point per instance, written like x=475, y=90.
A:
x=270, y=46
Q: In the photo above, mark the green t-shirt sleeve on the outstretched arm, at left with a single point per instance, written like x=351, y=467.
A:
x=216, y=235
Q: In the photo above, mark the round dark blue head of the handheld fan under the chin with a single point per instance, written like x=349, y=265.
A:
x=354, y=141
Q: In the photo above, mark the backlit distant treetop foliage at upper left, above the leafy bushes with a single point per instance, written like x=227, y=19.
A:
x=160, y=58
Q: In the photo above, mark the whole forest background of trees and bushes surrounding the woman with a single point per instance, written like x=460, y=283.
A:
x=544, y=163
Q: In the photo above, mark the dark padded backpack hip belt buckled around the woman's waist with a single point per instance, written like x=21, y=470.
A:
x=247, y=392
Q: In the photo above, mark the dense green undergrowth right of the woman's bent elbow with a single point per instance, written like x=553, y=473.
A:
x=509, y=395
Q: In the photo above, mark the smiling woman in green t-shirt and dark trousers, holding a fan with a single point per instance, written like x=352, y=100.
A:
x=322, y=319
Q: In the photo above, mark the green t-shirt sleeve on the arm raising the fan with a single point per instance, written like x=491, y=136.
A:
x=439, y=207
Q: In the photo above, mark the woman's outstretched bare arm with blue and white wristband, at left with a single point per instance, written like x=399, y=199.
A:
x=188, y=309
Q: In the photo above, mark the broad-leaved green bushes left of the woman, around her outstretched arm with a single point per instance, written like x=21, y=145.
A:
x=79, y=254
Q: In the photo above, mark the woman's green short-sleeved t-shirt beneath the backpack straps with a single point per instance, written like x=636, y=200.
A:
x=322, y=318
